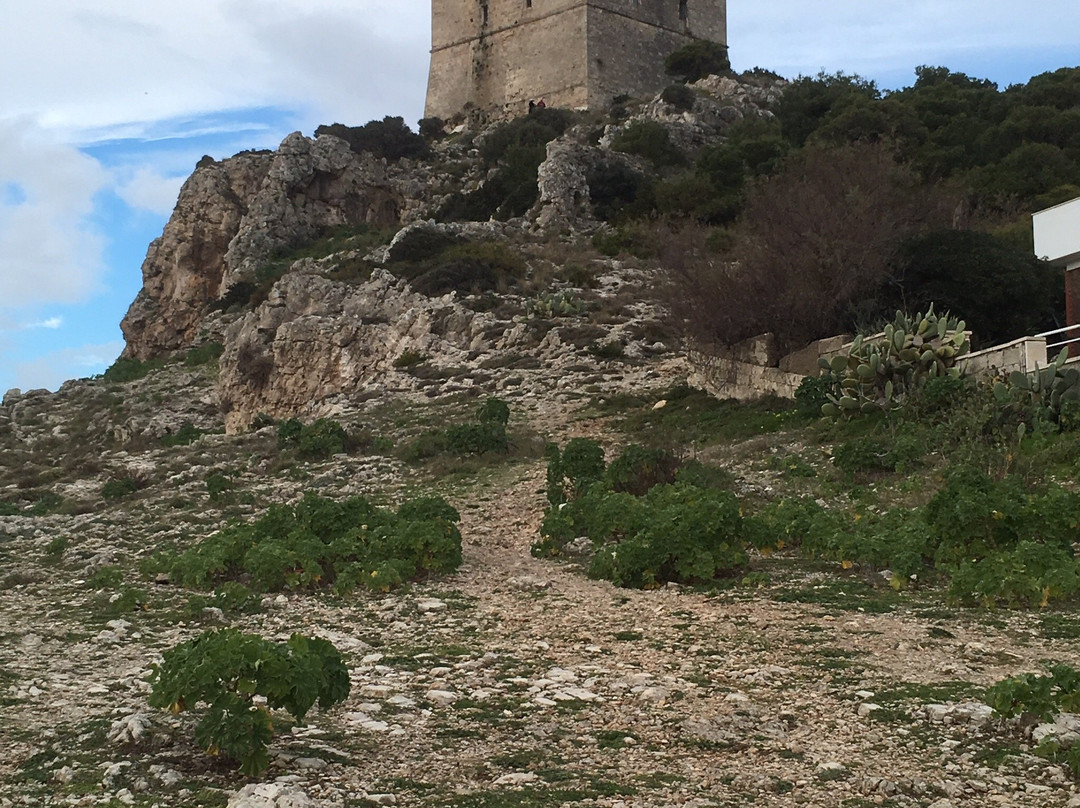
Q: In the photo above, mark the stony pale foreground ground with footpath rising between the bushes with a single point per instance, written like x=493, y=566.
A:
x=518, y=681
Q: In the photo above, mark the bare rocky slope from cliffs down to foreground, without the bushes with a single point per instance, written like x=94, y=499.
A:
x=515, y=681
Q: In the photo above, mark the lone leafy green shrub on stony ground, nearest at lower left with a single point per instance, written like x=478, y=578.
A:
x=226, y=670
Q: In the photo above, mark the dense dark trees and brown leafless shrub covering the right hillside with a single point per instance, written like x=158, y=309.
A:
x=853, y=203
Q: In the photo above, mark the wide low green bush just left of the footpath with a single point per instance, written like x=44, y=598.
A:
x=320, y=543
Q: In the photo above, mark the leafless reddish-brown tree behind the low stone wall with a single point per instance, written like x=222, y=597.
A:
x=813, y=250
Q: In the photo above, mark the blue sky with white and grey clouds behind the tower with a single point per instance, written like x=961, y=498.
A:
x=107, y=105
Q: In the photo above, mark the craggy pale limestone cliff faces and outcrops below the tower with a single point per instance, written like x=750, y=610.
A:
x=316, y=339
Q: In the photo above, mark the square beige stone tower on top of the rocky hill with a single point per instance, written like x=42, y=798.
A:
x=496, y=56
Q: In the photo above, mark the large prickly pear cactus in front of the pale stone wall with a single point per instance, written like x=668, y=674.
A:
x=881, y=372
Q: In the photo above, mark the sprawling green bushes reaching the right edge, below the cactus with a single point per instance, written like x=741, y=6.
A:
x=995, y=542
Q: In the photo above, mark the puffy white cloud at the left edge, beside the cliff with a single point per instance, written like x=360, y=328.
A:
x=49, y=251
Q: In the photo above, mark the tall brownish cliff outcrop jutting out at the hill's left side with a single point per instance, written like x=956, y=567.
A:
x=234, y=216
